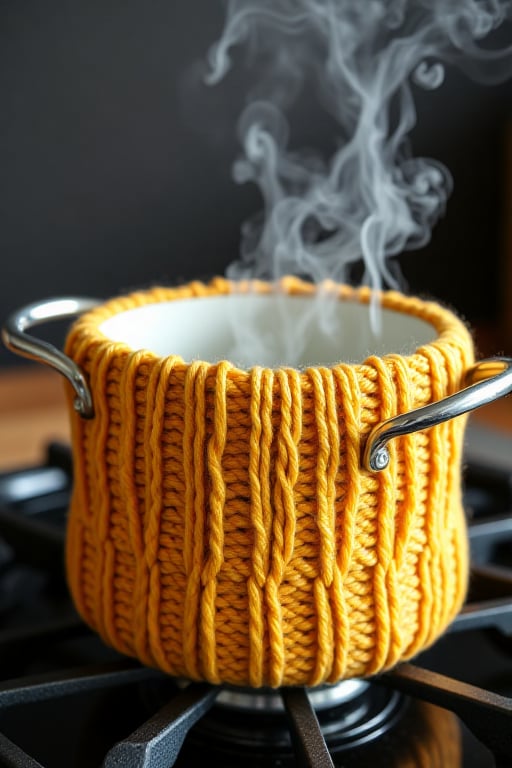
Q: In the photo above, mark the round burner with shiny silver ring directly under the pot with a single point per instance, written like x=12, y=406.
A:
x=256, y=726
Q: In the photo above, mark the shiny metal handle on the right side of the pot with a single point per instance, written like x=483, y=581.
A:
x=487, y=381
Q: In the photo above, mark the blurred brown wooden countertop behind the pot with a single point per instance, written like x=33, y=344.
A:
x=33, y=412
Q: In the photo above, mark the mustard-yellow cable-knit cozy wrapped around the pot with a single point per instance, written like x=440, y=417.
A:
x=222, y=527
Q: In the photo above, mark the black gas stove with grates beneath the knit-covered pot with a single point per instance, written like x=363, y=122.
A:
x=68, y=700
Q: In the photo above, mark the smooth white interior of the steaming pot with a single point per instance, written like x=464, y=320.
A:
x=269, y=330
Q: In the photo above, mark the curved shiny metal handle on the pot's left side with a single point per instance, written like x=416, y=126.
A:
x=17, y=340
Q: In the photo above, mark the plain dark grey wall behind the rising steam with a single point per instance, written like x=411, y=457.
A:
x=115, y=165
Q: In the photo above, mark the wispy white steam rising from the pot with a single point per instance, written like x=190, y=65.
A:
x=372, y=199
